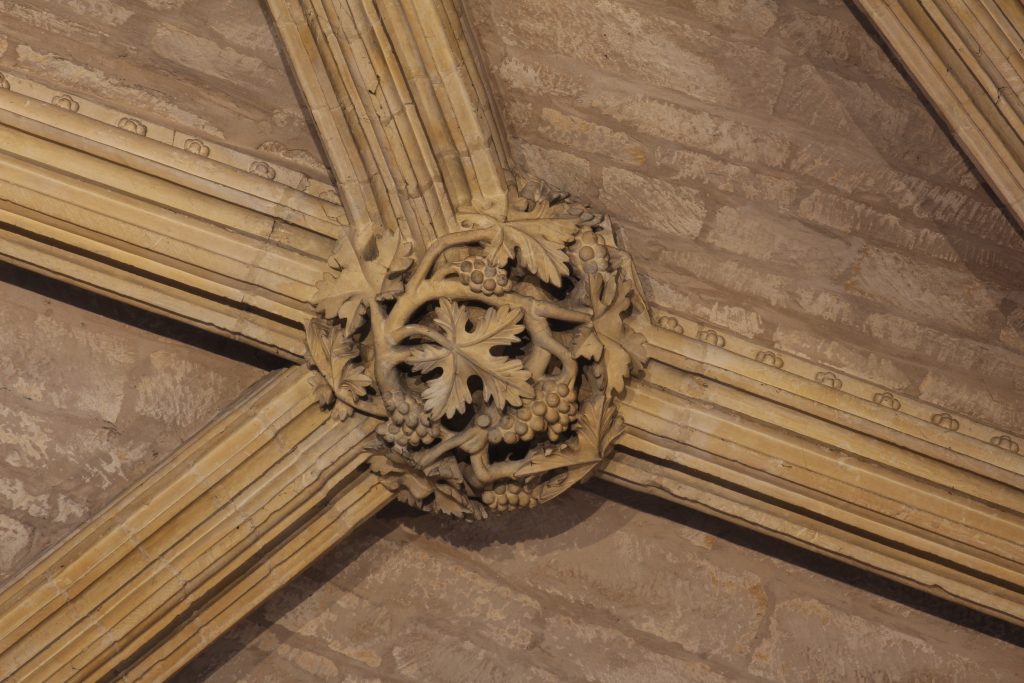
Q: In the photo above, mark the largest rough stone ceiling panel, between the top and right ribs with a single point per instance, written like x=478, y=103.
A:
x=775, y=175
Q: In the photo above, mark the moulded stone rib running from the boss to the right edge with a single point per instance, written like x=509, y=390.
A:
x=844, y=477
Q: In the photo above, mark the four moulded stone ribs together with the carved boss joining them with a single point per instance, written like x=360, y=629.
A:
x=467, y=340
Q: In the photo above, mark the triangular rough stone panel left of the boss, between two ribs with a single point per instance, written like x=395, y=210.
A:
x=89, y=405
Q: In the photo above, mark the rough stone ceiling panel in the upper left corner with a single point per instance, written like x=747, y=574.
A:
x=210, y=68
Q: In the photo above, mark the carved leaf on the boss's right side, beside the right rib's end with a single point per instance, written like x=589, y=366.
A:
x=610, y=339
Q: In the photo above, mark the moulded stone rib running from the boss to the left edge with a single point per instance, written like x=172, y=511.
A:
x=163, y=229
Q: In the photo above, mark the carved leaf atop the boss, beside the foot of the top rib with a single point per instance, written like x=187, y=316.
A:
x=541, y=247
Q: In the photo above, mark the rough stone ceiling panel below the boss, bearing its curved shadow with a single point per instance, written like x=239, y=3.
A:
x=587, y=588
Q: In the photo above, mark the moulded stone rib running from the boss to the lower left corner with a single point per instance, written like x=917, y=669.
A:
x=236, y=514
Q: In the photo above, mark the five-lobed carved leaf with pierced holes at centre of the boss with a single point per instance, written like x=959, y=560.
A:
x=466, y=354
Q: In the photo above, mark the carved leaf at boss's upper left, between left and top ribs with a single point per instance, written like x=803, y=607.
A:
x=344, y=292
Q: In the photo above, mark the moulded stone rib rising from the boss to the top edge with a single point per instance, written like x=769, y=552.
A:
x=402, y=111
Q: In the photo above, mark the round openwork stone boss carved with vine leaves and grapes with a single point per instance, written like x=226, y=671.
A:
x=494, y=359
